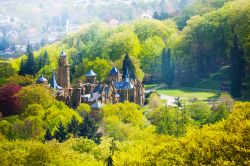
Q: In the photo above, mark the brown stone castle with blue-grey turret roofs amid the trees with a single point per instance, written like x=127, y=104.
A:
x=93, y=92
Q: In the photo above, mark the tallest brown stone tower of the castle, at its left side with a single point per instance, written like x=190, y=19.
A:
x=63, y=71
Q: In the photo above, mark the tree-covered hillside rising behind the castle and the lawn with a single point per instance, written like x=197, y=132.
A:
x=198, y=51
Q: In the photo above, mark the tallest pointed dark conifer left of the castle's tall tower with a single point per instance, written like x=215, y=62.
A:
x=30, y=65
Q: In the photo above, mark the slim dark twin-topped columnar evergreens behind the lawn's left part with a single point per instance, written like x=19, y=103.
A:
x=167, y=68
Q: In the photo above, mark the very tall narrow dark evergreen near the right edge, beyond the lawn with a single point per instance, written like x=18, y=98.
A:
x=237, y=67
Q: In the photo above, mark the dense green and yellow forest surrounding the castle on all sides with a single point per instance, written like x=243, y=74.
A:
x=204, y=45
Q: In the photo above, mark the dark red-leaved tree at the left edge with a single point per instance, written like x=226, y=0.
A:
x=9, y=102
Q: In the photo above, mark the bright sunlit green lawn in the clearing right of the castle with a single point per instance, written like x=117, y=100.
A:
x=187, y=93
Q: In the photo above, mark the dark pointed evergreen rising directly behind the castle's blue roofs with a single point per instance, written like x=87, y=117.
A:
x=127, y=63
